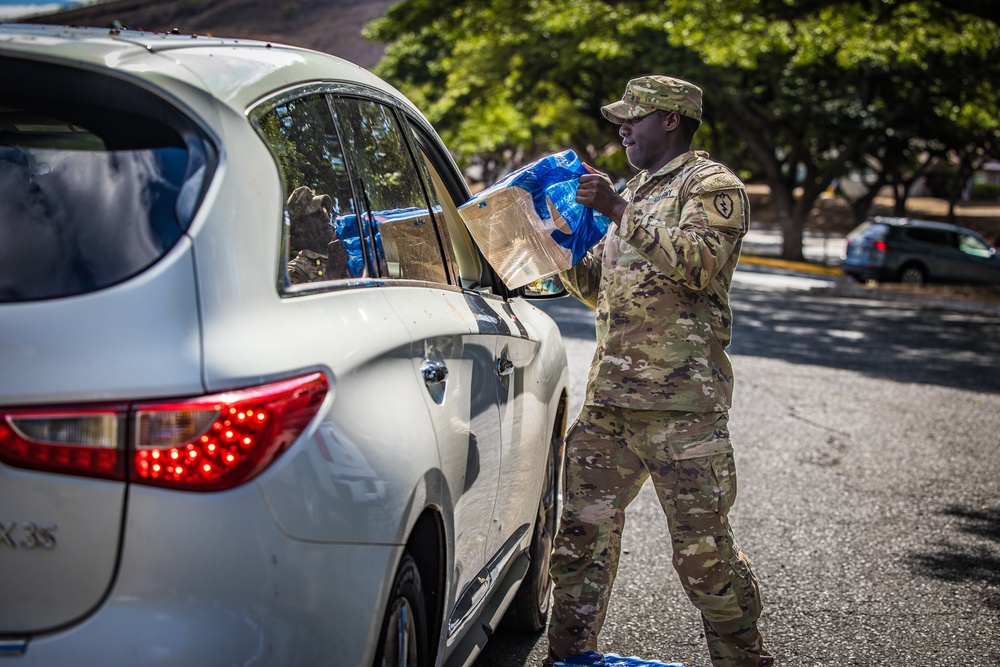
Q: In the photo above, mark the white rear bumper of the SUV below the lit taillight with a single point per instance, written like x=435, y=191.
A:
x=209, y=580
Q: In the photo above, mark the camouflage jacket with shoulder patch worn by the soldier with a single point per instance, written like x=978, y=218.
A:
x=659, y=282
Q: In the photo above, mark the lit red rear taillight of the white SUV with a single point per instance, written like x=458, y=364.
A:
x=205, y=443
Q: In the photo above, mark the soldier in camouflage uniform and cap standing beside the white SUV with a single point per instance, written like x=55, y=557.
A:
x=661, y=383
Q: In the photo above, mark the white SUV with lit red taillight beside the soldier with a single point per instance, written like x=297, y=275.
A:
x=262, y=402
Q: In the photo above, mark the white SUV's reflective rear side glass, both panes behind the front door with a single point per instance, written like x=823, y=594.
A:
x=357, y=203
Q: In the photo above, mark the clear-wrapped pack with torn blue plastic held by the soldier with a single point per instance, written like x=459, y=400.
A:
x=529, y=225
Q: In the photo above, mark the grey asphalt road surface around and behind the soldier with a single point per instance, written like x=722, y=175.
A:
x=868, y=447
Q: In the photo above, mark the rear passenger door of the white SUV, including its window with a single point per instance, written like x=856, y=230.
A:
x=453, y=335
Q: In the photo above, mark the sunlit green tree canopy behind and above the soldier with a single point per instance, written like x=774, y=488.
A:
x=798, y=93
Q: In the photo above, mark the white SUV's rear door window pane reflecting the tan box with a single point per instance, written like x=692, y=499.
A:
x=404, y=237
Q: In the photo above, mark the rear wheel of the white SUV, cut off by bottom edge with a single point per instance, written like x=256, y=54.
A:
x=403, y=640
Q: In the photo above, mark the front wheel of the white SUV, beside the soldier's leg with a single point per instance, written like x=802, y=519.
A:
x=530, y=608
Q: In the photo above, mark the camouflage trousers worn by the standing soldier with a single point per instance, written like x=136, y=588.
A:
x=610, y=452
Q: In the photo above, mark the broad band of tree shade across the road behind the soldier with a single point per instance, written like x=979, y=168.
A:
x=899, y=342
